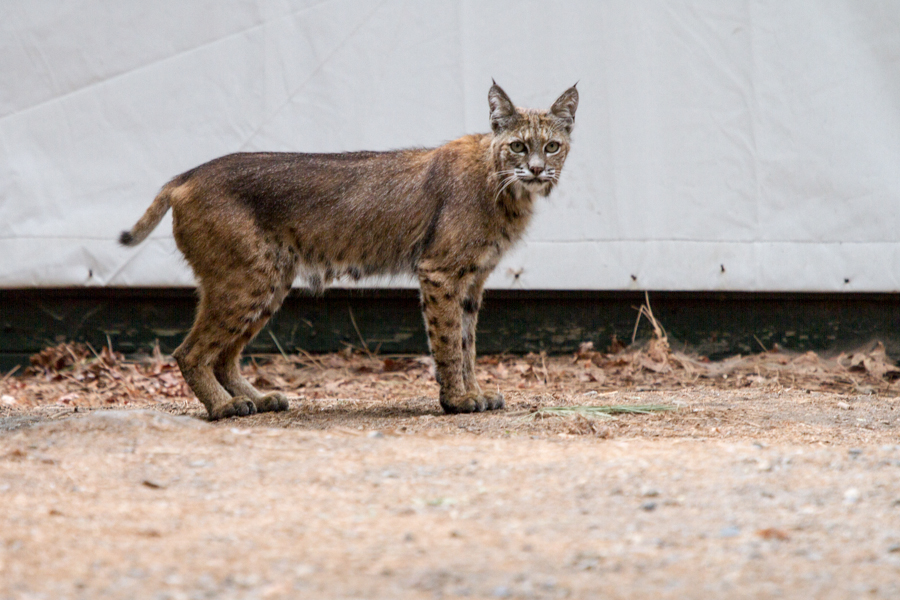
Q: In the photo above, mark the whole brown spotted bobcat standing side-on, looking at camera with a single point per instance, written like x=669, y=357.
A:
x=249, y=223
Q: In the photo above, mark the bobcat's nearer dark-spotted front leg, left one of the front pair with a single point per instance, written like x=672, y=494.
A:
x=442, y=294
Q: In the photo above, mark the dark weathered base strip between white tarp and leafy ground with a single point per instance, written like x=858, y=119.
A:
x=714, y=324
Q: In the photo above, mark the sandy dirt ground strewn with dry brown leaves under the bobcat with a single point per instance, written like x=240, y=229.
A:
x=765, y=476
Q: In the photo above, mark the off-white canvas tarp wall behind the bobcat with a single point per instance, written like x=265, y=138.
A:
x=740, y=145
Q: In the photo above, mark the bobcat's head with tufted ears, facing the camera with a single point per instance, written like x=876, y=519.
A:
x=530, y=145
